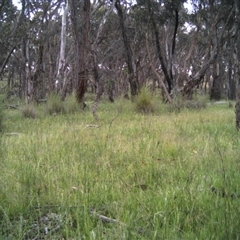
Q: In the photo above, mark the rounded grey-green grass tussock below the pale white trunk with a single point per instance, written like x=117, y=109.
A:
x=54, y=104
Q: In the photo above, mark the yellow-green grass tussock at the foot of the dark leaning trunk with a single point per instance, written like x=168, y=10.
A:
x=144, y=102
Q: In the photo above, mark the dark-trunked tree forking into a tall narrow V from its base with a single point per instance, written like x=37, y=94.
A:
x=164, y=20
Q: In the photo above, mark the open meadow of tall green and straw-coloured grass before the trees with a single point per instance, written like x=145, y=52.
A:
x=168, y=175
